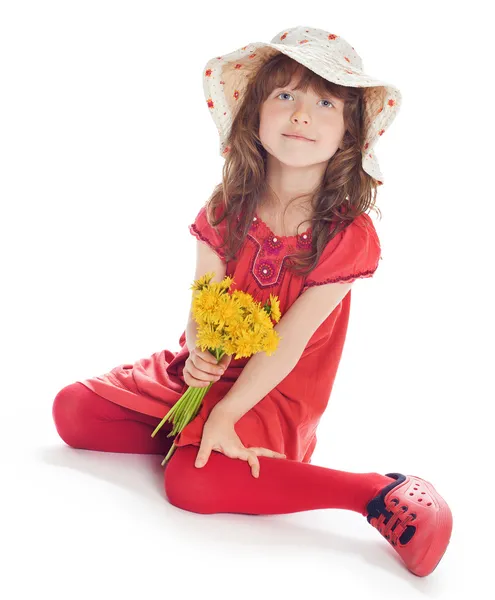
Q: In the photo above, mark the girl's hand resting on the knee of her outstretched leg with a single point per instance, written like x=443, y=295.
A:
x=219, y=434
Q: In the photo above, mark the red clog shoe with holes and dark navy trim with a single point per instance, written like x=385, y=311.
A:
x=415, y=520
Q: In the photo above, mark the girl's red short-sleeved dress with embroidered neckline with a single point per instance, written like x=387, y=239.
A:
x=286, y=419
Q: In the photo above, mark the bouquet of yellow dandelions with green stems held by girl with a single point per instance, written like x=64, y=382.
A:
x=228, y=323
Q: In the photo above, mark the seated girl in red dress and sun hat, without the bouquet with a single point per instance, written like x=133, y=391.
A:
x=265, y=410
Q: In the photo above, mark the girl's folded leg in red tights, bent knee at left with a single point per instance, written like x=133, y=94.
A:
x=86, y=420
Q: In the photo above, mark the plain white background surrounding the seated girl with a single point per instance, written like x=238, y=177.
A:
x=107, y=152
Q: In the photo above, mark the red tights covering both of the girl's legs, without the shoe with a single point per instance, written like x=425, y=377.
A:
x=85, y=420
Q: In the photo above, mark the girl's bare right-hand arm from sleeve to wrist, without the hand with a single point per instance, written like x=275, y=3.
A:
x=262, y=373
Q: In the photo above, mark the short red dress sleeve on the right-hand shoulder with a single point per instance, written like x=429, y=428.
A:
x=353, y=253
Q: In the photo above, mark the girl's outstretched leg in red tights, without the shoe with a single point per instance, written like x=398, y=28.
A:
x=284, y=486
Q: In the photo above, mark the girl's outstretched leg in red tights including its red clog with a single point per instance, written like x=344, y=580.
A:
x=406, y=510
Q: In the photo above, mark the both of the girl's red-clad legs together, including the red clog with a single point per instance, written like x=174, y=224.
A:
x=406, y=510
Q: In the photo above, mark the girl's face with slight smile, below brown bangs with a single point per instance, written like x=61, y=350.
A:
x=320, y=118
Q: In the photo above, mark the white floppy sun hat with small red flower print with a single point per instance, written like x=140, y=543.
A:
x=226, y=77
